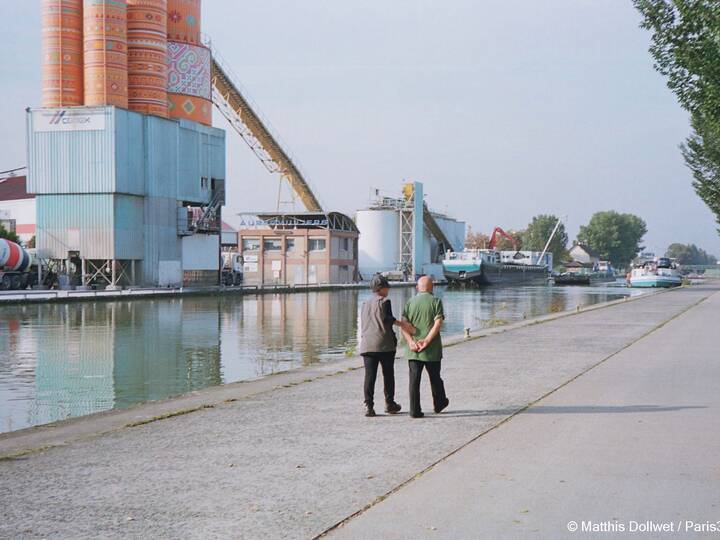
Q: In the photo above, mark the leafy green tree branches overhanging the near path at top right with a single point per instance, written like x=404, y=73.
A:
x=686, y=50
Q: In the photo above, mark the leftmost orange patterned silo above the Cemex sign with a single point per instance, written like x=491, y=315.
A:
x=62, y=51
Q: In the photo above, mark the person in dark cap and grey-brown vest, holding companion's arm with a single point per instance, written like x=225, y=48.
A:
x=378, y=344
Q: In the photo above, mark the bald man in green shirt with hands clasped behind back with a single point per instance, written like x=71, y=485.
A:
x=425, y=313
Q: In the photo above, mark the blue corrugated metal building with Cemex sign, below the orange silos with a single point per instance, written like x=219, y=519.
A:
x=119, y=193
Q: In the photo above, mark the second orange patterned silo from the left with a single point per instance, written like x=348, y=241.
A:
x=105, y=49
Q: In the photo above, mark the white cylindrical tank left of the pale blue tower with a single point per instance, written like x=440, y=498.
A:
x=379, y=243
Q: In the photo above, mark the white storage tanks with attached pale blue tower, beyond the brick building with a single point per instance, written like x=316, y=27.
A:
x=402, y=235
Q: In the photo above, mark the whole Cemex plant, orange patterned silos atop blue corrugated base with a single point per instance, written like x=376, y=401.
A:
x=129, y=177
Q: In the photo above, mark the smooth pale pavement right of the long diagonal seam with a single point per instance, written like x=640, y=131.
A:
x=629, y=449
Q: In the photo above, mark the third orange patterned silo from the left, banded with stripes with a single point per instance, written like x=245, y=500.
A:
x=147, y=56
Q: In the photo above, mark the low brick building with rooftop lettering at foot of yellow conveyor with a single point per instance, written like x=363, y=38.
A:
x=298, y=249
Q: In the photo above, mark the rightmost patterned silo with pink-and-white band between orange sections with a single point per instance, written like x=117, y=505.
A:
x=189, y=79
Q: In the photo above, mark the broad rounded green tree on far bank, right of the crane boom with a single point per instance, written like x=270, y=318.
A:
x=615, y=237
